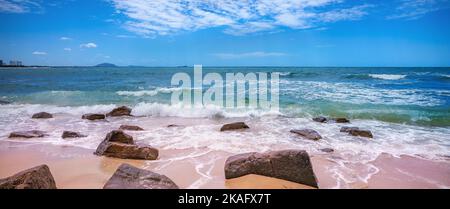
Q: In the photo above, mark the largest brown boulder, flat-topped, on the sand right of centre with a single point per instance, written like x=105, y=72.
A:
x=290, y=165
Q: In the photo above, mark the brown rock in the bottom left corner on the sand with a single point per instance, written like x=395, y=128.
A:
x=38, y=177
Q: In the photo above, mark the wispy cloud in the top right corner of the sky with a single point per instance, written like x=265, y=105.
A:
x=414, y=9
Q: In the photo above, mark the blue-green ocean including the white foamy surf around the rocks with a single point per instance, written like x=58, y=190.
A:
x=407, y=110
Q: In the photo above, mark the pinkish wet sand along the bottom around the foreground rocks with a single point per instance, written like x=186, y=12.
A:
x=75, y=168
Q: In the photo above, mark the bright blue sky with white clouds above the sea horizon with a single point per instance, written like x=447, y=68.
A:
x=342, y=33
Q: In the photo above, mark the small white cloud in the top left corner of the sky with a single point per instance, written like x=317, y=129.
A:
x=19, y=6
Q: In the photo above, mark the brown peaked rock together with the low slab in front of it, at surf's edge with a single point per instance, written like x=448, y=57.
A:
x=121, y=145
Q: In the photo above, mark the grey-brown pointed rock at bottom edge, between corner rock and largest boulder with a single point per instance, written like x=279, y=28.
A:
x=130, y=177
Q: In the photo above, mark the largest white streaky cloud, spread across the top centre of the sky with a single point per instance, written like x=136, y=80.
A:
x=163, y=17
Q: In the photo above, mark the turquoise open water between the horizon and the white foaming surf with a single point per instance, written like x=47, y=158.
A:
x=416, y=96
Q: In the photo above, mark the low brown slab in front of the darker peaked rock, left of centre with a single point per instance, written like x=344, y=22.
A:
x=127, y=151
